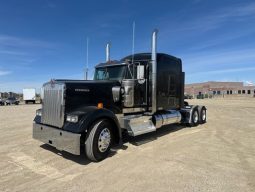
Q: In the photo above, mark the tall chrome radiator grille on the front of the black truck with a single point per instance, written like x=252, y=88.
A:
x=53, y=104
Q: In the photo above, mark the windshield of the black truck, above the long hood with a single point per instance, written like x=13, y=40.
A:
x=110, y=73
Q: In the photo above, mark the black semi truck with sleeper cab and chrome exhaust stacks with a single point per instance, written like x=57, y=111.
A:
x=135, y=95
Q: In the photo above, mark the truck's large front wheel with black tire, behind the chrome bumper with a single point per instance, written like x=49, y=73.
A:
x=92, y=149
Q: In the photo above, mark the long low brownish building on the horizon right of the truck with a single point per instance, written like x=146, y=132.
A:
x=213, y=88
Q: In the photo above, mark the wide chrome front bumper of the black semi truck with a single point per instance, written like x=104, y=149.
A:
x=62, y=140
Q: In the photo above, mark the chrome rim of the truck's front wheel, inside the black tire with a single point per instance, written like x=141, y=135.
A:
x=104, y=140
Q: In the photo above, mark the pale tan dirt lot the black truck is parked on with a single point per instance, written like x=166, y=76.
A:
x=217, y=156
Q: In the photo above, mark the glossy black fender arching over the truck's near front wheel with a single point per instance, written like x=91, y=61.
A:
x=87, y=116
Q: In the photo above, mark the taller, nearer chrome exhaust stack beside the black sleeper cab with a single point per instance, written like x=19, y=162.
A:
x=154, y=70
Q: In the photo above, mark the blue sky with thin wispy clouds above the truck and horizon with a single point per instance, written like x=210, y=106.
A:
x=45, y=39
